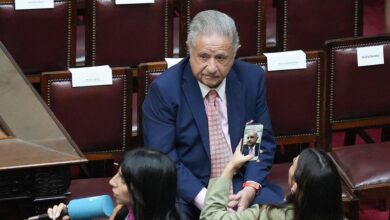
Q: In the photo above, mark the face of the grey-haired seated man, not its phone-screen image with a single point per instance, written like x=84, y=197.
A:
x=211, y=59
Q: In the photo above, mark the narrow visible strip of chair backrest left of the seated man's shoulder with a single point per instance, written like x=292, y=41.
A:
x=147, y=72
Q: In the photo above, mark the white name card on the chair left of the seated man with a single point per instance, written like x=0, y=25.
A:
x=91, y=76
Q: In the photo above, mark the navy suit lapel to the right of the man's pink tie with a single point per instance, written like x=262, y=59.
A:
x=235, y=108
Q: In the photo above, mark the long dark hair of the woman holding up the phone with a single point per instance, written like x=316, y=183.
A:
x=318, y=194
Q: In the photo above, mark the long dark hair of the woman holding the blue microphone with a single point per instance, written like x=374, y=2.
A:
x=151, y=179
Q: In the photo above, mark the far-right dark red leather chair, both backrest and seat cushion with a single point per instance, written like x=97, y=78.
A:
x=358, y=98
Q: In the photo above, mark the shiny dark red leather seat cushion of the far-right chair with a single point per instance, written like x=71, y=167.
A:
x=364, y=165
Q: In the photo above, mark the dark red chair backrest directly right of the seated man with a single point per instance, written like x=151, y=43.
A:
x=295, y=100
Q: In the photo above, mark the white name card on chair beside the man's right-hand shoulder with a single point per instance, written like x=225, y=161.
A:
x=288, y=60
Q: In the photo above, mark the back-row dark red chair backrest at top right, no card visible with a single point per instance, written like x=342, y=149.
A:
x=307, y=24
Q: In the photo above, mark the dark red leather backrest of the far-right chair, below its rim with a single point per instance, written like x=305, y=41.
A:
x=357, y=97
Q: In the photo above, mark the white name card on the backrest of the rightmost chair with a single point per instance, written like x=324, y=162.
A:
x=368, y=56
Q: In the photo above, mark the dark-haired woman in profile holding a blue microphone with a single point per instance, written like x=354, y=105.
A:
x=144, y=188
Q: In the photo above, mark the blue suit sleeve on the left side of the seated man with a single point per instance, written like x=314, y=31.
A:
x=159, y=124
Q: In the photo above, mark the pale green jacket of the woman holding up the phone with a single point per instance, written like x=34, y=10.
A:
x=217, y=200
